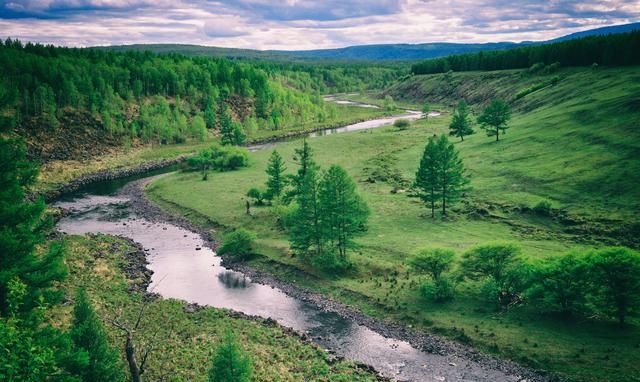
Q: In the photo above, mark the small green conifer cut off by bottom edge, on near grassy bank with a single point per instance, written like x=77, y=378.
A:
x=230, y=363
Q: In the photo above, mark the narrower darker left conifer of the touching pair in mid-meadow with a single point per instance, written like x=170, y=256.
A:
x=427, y=177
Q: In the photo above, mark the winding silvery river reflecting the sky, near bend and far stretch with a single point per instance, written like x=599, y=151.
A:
x=184, y=268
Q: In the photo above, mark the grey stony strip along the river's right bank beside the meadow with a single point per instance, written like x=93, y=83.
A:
x=418, y=339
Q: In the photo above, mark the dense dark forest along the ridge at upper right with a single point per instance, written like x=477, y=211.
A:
x=611, y=50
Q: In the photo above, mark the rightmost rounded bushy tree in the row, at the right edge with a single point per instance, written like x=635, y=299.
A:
x=614, y=275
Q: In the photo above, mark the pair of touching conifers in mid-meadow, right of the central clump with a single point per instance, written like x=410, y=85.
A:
x=441, y=176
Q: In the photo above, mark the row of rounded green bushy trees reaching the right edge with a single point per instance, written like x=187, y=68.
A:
x=597, y=283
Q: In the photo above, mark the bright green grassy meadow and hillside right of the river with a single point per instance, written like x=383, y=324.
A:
x=553, y=152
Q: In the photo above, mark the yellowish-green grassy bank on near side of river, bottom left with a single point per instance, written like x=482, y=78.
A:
x=184, y=341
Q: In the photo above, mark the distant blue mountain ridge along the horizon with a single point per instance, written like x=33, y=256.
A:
x=377, y=52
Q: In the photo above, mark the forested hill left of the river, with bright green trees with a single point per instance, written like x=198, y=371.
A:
x=71, y=103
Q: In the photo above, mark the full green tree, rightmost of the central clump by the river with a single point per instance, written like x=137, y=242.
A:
x=344, y=212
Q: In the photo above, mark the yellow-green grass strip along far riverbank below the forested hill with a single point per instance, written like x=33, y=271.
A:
x=56, y=173
